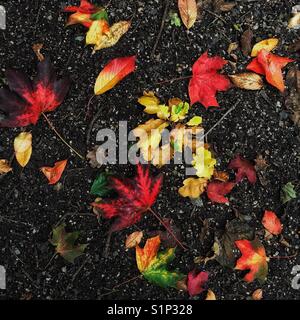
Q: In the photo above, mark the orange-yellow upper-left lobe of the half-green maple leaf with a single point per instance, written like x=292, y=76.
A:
x=145, y=255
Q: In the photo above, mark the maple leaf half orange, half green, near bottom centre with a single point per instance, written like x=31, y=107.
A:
x=153, y=265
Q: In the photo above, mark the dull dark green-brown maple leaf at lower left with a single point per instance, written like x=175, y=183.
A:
x=65, y=243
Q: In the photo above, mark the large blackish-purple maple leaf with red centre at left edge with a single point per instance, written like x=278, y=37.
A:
x=24, y=101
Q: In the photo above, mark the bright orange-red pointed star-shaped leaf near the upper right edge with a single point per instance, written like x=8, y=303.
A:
x=270, y=65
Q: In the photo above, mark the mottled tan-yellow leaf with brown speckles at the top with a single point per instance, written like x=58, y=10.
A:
x=110, y=38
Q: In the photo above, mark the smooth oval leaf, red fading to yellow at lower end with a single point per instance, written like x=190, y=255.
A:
x=113, y=73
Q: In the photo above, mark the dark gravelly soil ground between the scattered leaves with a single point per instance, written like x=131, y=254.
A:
x=31, y=207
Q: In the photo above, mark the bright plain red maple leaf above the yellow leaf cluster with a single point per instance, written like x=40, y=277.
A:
x=206, y=81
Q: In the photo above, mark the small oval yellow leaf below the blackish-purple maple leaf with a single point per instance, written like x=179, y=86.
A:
x=23, y=148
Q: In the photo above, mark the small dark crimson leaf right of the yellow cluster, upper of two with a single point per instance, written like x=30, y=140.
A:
x=244, y=169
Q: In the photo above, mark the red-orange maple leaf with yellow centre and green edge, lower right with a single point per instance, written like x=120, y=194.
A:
x=253, y=258
